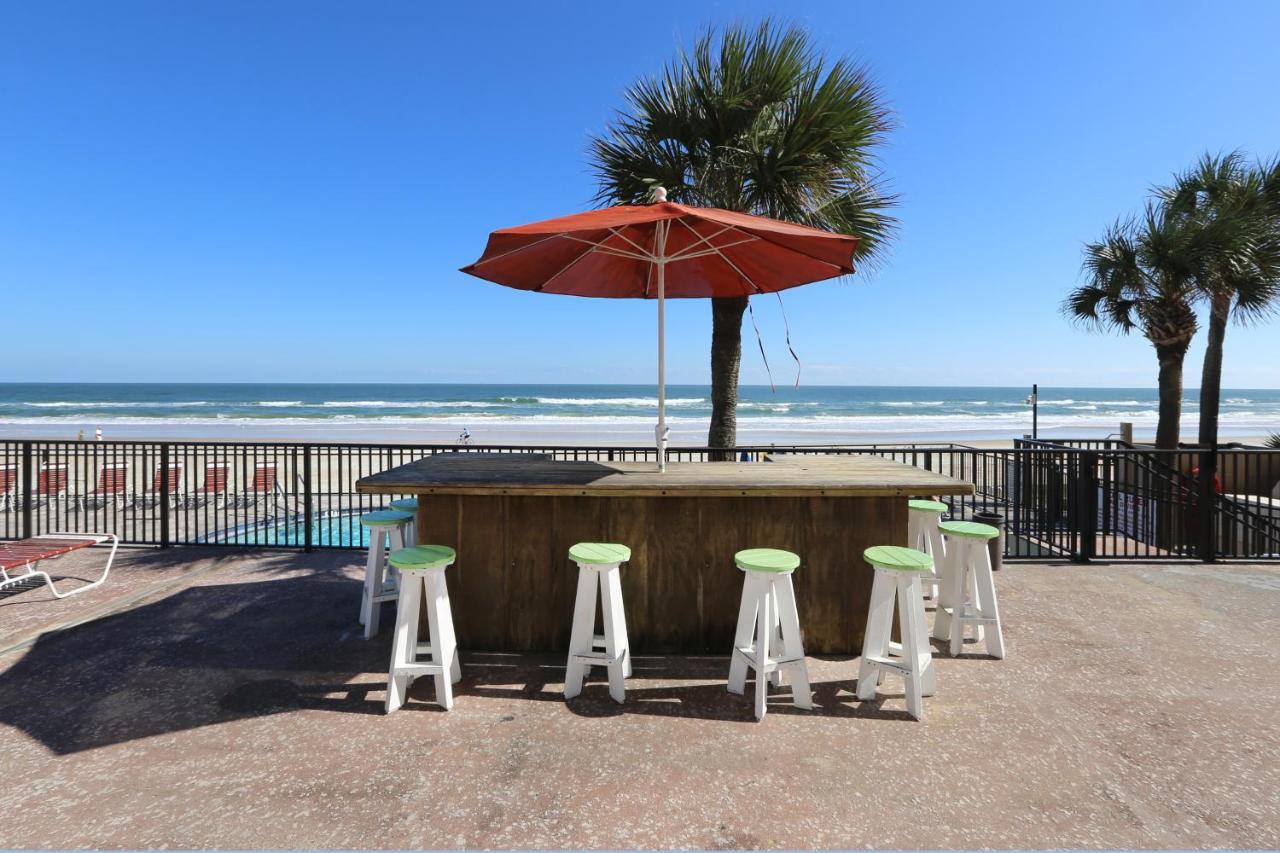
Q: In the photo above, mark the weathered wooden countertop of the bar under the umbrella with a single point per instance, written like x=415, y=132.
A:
x=849, y=476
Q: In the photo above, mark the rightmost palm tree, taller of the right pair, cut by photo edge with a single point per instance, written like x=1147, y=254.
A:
x=1236, y=209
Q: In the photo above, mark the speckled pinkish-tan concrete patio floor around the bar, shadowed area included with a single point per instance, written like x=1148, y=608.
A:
x=1137, y=708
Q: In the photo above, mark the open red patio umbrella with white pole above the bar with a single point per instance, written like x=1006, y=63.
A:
x=659, y=252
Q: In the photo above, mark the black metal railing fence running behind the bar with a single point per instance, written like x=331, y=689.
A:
x=1059, y=501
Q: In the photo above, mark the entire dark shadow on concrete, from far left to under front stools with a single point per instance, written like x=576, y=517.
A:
x=287, y=642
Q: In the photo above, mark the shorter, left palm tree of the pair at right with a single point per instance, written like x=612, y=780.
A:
x=1141, y=276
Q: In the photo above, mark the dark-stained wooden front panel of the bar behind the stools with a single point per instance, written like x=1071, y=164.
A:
x=513, y=587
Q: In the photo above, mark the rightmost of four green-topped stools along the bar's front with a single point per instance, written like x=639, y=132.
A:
x=898, y=577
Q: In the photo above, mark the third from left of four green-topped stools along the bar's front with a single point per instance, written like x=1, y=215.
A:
x=767, y=619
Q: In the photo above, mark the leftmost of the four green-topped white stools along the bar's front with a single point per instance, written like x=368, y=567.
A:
x=423, y=574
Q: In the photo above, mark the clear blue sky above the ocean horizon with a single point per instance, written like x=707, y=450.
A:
x=284, y=191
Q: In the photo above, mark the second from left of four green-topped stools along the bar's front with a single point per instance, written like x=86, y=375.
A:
x=598, y=568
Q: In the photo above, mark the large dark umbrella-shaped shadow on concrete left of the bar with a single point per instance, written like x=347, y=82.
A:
x=202, y=656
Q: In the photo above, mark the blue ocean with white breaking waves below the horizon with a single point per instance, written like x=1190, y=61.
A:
x=593, y=414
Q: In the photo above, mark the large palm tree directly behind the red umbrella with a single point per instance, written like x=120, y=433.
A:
x=758, y=122
